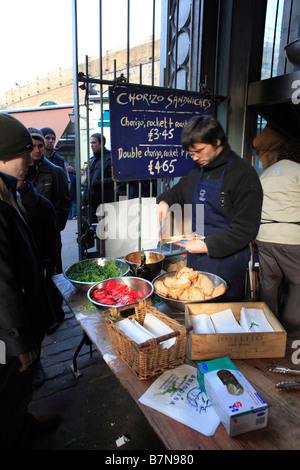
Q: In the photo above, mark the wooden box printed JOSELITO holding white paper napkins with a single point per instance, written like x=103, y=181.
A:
x=235, y=345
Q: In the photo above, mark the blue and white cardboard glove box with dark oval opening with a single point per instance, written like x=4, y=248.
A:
x=238, y=405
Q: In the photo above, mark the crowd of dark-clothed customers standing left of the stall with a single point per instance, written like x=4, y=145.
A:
x=37, y=197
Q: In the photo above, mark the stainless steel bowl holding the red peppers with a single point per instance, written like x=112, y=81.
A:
x=136, y=283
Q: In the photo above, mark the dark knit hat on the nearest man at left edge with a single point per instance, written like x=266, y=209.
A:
x=15, y=140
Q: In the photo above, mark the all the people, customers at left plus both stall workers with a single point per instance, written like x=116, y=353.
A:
x=38, y=196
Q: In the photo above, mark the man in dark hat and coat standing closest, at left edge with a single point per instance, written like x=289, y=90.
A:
x=24, y=310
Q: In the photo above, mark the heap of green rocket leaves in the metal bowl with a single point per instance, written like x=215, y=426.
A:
x=89, y=271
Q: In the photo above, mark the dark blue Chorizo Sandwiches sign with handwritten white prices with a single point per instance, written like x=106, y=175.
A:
x=146, y=125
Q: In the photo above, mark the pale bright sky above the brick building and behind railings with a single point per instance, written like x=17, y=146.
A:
x=36, y=35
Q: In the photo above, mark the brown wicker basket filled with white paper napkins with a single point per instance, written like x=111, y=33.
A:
x=148, y=359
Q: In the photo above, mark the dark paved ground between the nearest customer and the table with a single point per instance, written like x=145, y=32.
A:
x=95, y=409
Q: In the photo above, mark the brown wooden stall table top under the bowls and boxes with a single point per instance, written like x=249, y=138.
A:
x=282, y=431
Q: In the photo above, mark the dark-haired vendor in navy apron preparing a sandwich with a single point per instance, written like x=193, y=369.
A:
x=231, y=193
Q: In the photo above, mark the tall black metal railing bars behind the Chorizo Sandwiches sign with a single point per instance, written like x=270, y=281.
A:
x=83, y=80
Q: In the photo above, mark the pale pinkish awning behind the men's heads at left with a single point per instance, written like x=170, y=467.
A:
x=57, y=118
